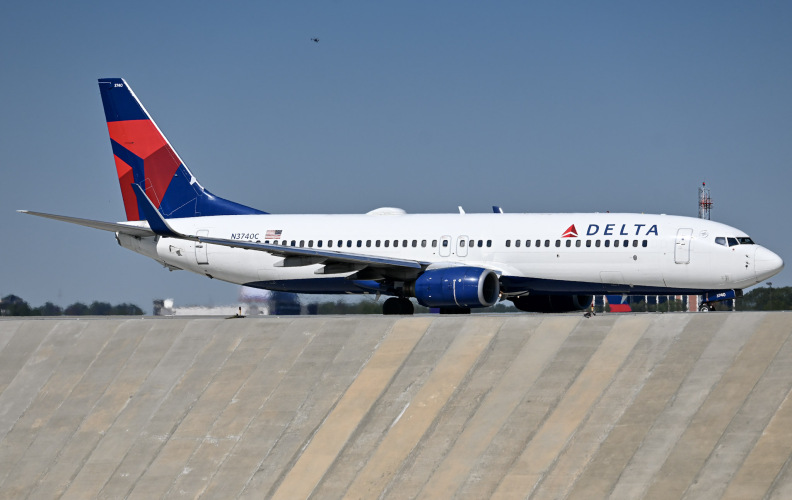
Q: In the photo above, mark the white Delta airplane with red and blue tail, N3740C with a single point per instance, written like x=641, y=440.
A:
x=541, y=262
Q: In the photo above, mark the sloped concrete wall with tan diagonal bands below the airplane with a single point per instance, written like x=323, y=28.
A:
x=553, y=406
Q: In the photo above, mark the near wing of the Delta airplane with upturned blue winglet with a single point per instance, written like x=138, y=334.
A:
x=313, y=256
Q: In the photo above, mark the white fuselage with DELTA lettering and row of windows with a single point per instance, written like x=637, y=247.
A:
x=550, y=253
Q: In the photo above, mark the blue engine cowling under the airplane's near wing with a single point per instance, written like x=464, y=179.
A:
x=457, y=287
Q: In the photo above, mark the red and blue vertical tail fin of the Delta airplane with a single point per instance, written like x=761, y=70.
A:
x=143, y=156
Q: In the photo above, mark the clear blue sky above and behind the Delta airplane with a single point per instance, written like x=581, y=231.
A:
x=535, y=106
